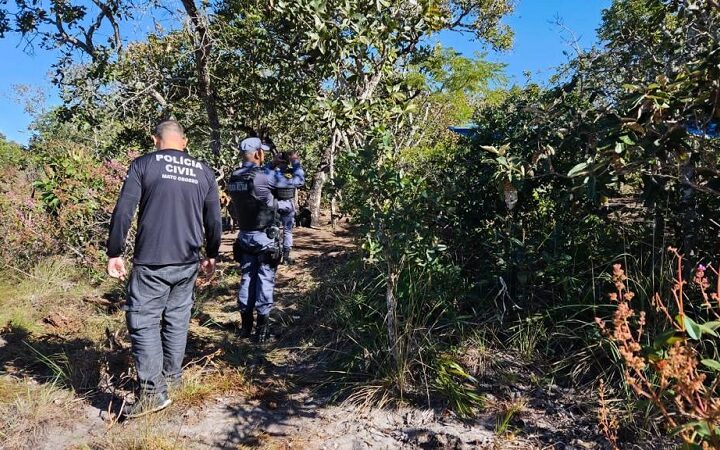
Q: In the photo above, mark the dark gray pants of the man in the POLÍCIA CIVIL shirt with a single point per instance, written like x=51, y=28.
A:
x=158, y=308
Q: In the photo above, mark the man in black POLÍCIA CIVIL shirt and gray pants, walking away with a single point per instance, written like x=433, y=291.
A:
x=179, y=208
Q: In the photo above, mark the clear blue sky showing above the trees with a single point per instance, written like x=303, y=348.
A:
x=539, y=46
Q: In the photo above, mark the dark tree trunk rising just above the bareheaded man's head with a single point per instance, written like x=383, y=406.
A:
x=203, y=48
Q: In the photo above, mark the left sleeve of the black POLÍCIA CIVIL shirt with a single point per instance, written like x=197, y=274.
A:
x=124, y=211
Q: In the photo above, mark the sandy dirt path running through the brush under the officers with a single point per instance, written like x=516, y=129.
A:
x=238, y=396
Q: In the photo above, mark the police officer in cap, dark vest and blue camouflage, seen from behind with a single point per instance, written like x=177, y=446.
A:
x=253, y=188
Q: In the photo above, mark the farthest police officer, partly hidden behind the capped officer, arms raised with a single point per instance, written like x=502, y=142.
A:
x=286, y=198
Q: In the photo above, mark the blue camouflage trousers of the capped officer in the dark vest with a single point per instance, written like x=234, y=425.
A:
x=258, y=274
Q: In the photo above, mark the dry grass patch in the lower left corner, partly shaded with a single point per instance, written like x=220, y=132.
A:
x=46, y=350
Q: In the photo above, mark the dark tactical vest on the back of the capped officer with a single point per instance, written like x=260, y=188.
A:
x=251, y=213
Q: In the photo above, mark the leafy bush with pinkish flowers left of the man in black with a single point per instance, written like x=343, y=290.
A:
x=56, y=198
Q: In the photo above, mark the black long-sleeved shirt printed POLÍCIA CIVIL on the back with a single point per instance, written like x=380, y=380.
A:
x=179, y=209
